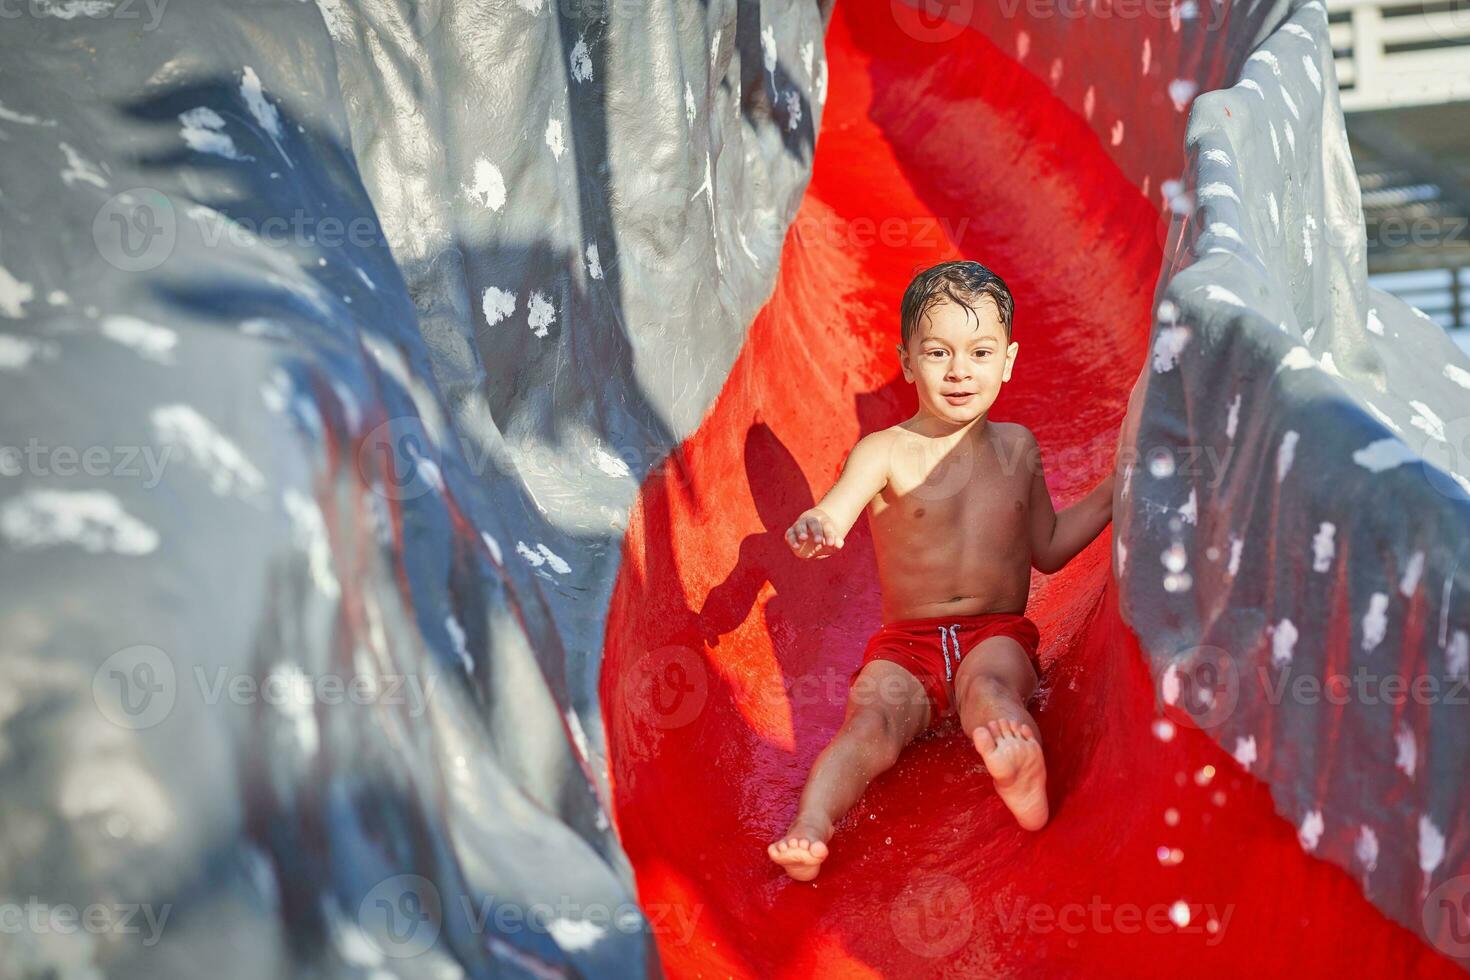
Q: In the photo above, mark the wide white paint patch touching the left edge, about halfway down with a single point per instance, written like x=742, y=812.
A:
x=93, y=521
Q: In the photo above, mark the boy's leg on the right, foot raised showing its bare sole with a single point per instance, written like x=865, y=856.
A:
x=992, y=688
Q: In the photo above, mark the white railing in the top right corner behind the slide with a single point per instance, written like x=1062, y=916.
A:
x=1375, y=73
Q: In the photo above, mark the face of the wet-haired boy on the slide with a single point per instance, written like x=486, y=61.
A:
x=958, y=364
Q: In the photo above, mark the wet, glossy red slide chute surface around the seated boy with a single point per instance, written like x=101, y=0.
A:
x=727, y=657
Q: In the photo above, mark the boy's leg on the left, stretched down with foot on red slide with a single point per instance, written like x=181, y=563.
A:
x=886, y=710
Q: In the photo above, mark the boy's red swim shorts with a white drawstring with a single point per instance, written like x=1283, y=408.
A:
x=933, y=649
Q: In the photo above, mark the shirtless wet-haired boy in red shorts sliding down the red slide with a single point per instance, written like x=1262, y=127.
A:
x=961, y=514
